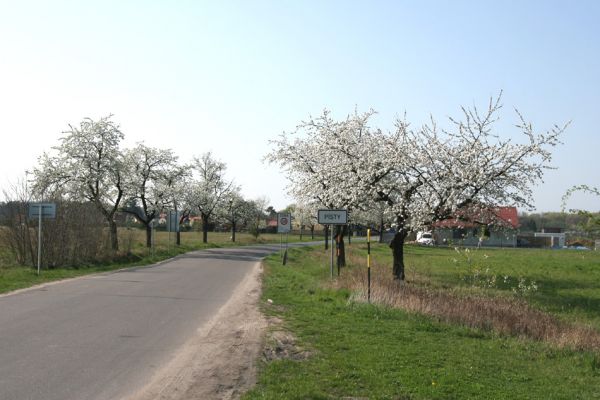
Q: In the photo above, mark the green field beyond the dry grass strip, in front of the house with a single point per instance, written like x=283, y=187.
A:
x=568, y=281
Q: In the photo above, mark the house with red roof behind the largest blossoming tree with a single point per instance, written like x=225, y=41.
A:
x=496, y=226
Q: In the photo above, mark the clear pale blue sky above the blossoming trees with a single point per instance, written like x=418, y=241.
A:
x=227, y=76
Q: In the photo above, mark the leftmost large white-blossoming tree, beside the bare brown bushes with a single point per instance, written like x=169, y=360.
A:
x=86, y=165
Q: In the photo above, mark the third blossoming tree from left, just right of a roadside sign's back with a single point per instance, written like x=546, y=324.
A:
x=209, y=189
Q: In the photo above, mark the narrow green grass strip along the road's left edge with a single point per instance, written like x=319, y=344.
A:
x=14, y=277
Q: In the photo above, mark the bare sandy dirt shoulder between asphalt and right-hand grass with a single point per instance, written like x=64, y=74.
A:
x=220, y=361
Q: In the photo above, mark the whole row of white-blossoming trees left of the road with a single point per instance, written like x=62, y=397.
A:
x=90, y=166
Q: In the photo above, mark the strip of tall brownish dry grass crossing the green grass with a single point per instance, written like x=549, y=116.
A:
x=507, y=316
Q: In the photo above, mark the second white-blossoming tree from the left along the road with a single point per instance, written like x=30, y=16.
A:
x=151, y=177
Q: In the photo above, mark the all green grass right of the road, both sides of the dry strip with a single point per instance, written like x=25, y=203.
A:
x=358, y=350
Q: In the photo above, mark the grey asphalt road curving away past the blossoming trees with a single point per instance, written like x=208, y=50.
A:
x=103, y=336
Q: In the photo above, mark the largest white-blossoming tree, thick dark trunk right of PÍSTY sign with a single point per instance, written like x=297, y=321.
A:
x=423, y=175
